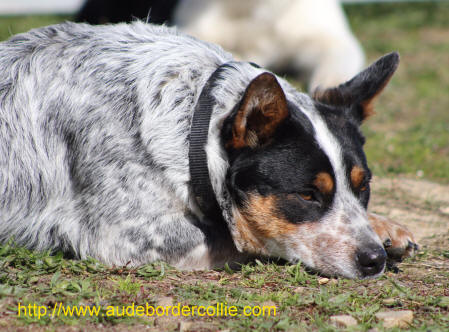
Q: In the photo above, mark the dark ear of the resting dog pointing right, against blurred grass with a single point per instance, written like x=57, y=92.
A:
x=359, y=93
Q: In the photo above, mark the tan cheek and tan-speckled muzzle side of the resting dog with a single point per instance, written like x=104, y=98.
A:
x=261, y=229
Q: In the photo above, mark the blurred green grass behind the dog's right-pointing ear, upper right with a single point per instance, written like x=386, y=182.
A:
x=410, y=133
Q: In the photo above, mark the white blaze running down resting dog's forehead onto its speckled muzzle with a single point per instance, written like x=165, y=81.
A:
x=346, y=222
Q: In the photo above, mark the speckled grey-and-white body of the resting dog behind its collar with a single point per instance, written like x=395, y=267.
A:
x=93, y=130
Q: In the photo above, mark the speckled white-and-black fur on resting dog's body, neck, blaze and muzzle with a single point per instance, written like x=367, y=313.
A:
x=94, y=139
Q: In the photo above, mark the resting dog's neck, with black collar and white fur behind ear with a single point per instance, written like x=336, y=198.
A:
x=220, y=94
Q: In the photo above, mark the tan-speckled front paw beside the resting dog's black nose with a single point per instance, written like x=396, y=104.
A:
x=398, y=241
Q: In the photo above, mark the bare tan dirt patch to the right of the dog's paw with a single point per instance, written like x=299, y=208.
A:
x=421, y=205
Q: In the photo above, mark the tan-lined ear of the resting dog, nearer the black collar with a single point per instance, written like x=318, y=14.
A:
x=262, y=109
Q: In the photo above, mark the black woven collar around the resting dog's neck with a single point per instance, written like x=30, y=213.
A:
x=199, y=129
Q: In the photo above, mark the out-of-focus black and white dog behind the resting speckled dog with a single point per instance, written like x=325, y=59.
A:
x=309, y=40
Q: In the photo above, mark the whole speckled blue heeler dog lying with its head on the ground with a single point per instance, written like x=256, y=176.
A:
x=96, y=160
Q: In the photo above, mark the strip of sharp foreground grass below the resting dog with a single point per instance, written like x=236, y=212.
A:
x=301, y=302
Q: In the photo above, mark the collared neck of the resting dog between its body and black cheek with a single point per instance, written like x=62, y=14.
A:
x=204, y=139
